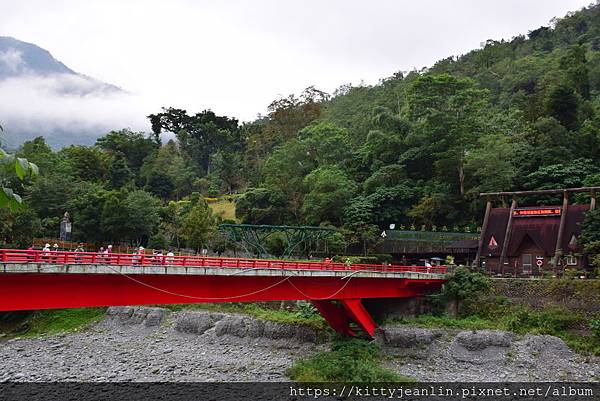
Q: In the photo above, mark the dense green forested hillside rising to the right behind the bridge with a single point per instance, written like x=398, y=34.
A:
x=414, y=150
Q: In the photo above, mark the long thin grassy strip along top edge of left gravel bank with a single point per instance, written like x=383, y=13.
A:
x=257, y=311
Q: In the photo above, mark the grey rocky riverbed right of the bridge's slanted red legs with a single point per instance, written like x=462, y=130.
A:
x=483, y=356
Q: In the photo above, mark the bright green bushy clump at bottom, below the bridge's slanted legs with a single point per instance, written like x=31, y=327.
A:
x=350, y=360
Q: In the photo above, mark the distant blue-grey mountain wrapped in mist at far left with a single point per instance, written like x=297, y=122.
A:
x=35, y=88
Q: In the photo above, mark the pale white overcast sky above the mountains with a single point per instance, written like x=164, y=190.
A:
x=235, y=56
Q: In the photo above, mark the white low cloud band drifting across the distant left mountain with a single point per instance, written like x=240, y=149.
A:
x=66, y=109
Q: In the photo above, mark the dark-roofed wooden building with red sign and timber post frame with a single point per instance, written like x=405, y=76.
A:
x=528, y=241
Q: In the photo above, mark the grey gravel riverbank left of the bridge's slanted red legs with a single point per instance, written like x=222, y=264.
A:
x=152, y=344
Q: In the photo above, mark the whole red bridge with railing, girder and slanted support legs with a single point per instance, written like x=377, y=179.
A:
x=47, y=280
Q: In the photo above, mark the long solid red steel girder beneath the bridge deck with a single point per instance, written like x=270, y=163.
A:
x=29, y=291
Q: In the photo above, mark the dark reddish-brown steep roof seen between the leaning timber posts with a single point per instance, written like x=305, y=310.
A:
x=539, y=231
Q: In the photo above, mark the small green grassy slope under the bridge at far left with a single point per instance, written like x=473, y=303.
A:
x=62, y=321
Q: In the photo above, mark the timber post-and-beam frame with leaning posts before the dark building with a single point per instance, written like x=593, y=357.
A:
x=515, y=195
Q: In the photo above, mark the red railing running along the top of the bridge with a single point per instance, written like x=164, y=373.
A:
x=128, y=259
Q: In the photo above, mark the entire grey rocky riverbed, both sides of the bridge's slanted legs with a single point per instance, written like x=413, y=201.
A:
x=153, y=344
